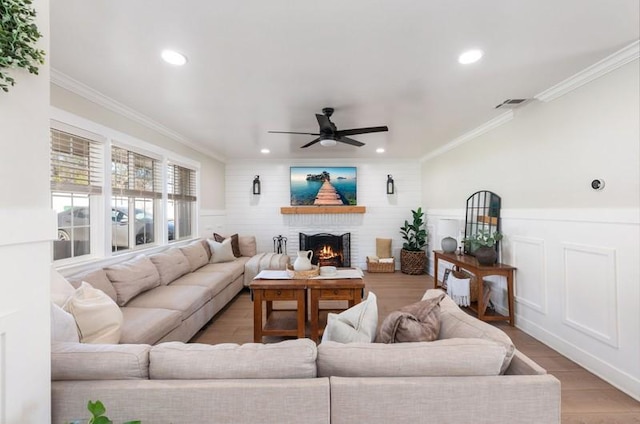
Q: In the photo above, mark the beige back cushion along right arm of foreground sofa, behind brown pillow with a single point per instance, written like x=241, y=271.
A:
x=455, y=323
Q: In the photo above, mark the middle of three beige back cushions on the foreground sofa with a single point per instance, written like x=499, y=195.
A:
x=287, y=359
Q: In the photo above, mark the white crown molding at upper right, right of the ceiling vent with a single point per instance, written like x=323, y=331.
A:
x=606, y=65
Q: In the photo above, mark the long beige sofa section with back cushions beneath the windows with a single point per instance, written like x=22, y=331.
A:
x=171, y=295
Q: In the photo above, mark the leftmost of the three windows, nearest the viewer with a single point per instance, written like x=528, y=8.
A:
x=76, y=176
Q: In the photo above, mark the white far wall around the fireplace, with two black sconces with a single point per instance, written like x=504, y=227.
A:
x=260, y=215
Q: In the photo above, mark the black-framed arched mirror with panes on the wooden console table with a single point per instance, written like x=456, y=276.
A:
x=483, y=216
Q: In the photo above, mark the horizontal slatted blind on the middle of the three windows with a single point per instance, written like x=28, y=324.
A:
x=135, y=175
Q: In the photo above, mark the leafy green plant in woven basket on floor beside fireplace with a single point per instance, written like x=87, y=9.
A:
x=413, y=259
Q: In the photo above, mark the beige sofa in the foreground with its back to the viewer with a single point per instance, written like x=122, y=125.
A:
x=455, y=379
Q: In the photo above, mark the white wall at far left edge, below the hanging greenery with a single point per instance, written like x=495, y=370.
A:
x=25, y=249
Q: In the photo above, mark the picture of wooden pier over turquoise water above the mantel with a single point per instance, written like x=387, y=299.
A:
x=323, y=186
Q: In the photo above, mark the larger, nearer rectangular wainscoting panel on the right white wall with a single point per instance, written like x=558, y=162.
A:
x=590, y=291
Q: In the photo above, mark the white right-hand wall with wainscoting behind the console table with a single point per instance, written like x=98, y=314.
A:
x=576, y=249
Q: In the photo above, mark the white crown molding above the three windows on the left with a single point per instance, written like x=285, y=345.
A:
x=64, y=81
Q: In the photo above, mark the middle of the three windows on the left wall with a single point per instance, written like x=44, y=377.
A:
x=136, y=183
